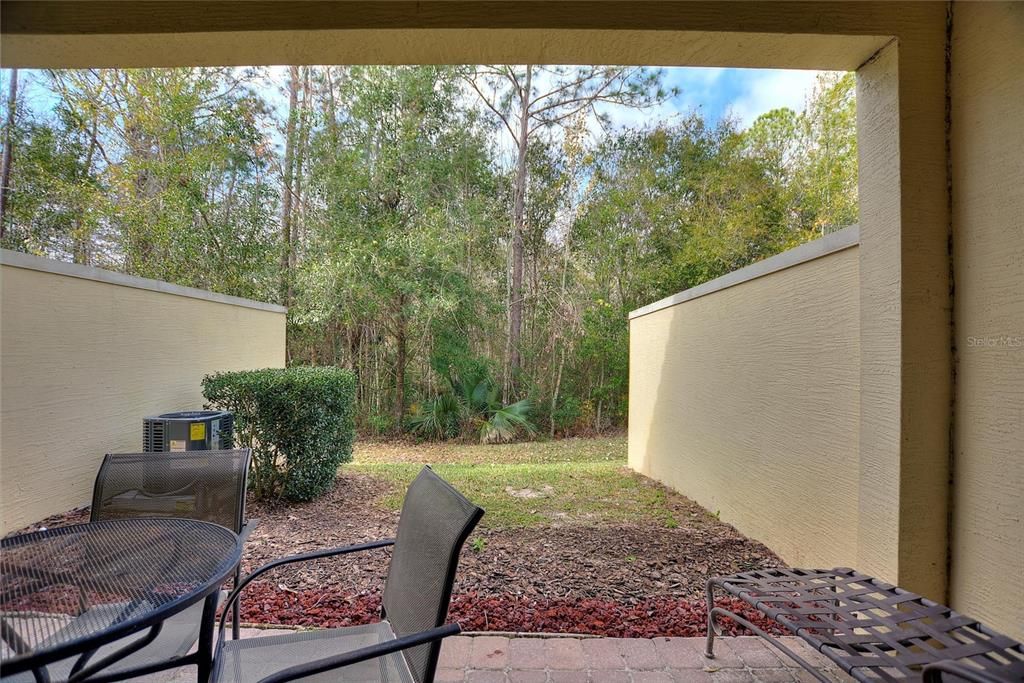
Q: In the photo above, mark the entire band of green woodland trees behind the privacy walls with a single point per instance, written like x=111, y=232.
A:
x=402, y=246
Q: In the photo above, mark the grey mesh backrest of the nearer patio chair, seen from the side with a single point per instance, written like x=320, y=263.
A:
x=436, y=523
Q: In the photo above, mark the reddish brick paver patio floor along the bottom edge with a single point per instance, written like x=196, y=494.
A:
x=486, y=659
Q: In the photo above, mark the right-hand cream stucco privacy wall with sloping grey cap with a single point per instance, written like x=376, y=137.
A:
x=747, y=399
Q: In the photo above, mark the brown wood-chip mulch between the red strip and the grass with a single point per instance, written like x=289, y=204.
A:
x=623, y=563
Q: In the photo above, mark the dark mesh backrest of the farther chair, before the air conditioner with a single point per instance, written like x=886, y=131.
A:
x=209, y=486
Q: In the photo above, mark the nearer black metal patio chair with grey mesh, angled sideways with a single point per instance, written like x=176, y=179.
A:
x=404, y=647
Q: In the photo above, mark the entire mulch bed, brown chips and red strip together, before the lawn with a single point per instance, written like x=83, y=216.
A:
x=624, y=580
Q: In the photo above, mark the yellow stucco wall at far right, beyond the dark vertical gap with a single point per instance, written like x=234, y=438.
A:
x=988, y=147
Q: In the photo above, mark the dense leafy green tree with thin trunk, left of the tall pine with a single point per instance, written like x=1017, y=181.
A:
x=392, y=234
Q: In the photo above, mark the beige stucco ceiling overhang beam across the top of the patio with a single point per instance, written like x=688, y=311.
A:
x=98, y=34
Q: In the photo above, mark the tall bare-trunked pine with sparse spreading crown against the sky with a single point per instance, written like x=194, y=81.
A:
x=531, y=99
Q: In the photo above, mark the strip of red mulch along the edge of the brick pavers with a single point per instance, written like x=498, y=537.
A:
x=267, y=604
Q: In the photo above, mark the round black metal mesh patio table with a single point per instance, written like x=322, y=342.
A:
x=68, y=593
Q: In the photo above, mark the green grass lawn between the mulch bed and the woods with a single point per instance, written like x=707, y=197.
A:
x=530, y=485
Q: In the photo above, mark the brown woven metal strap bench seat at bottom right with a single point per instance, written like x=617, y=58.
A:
x=871, y=629
